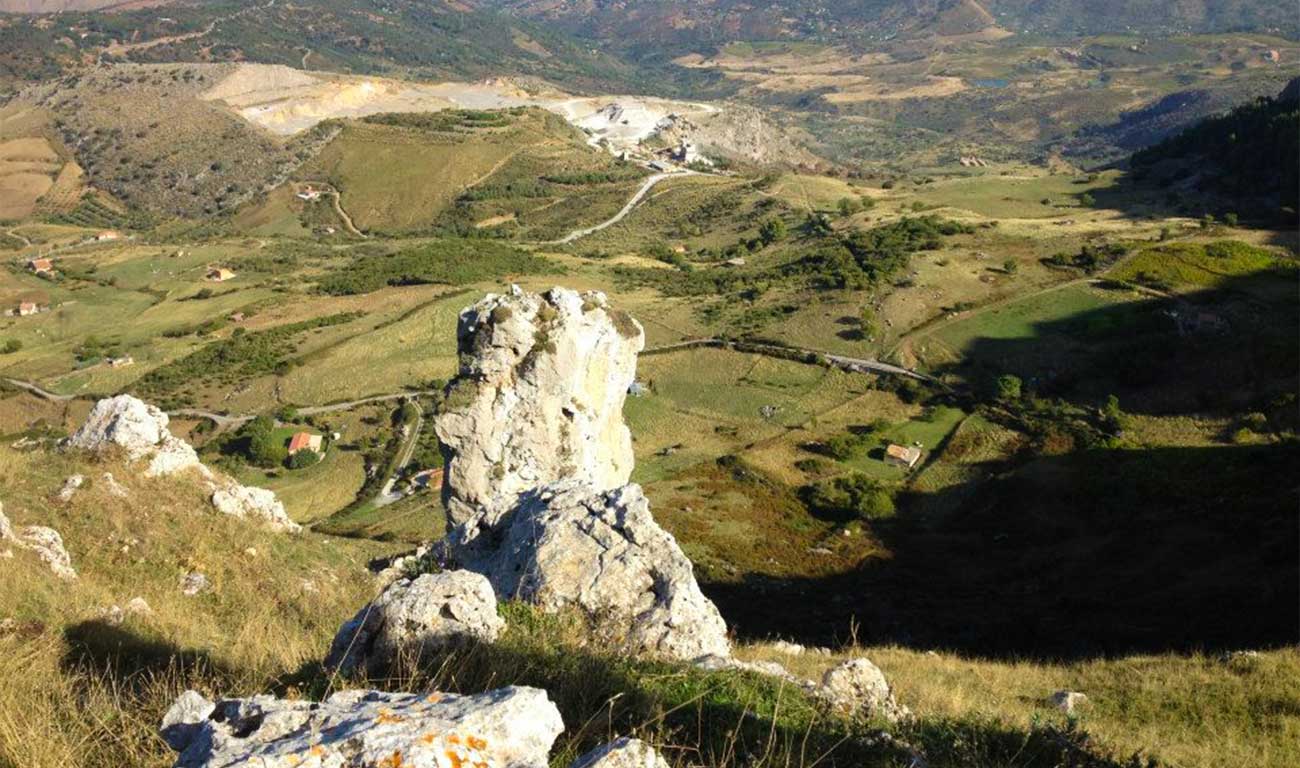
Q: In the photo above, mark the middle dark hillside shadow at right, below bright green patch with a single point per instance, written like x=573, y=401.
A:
x=1228, y=349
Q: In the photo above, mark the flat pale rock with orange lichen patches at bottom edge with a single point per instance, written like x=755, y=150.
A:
x=508, y=728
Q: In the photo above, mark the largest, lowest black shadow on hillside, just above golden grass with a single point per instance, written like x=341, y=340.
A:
x=1089, y=554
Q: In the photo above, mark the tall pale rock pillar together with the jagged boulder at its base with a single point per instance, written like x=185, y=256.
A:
x=538, y=478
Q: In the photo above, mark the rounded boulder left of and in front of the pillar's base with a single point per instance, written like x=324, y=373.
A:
x=430, y=614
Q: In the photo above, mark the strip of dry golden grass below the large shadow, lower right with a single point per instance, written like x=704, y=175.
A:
x=1186, y=711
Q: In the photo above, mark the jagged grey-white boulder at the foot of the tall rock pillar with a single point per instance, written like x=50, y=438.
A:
x=570, y=546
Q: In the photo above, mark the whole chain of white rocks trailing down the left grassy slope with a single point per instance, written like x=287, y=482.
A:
x=141, y=431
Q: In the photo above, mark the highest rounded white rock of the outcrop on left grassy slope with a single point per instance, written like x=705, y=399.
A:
x=137, y=428
